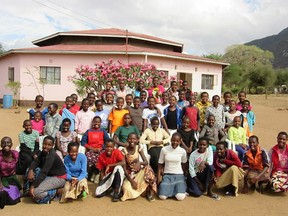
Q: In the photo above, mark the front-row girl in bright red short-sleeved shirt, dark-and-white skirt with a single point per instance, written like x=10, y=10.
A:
x=111, y=171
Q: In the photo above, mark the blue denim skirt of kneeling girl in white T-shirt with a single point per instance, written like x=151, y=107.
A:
x=172, y=184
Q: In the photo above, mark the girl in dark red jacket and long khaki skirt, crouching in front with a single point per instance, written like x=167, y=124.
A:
x=228, y=171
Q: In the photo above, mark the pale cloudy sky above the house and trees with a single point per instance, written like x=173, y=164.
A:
x=206, y=26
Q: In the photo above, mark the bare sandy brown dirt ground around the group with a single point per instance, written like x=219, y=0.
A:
x=271, y=118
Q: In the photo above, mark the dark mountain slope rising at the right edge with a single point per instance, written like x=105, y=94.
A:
x=278, y=45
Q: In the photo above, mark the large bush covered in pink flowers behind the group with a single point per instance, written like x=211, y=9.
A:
x=93, y=79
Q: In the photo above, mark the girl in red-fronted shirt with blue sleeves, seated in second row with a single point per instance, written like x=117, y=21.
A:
x=93, y=140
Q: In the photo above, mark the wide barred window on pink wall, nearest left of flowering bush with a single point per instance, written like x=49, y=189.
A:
x=50, y=75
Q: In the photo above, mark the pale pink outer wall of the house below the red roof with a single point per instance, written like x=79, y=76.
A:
x=30, y=87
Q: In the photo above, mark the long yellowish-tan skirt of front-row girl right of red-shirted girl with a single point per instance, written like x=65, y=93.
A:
x=144, y=178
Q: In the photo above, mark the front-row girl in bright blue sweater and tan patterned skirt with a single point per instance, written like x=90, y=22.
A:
x=76, y=167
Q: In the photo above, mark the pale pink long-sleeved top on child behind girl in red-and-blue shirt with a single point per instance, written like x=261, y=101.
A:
x=83, y=120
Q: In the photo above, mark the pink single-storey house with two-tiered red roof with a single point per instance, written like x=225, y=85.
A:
x=56, y=57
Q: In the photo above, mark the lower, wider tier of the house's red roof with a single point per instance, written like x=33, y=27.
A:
x=90, y=49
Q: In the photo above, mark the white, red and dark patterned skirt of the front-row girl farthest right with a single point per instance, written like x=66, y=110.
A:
x=279, y=181
